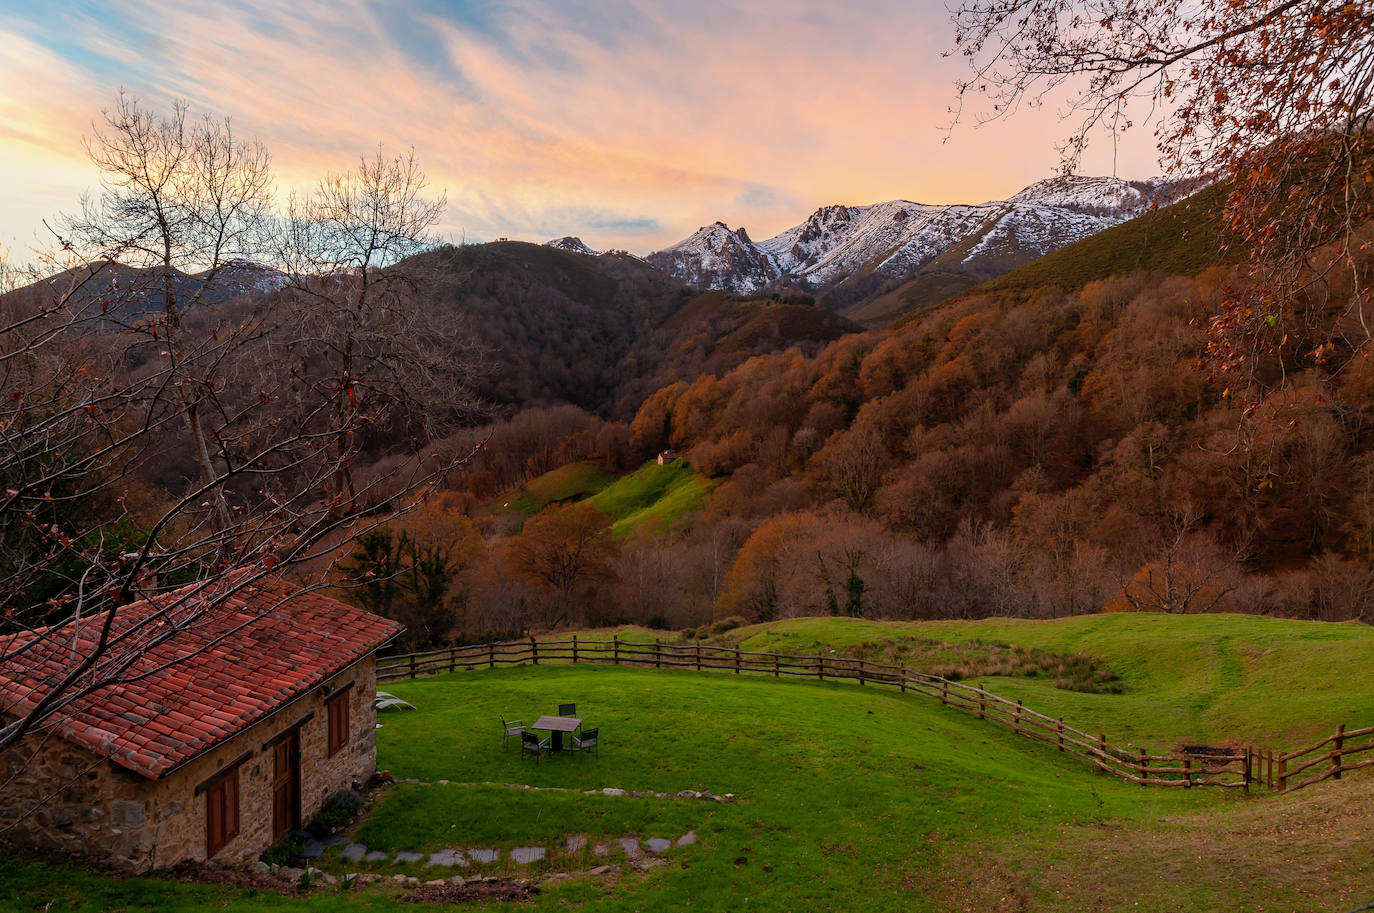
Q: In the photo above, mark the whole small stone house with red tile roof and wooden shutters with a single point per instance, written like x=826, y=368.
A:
x=247, y=709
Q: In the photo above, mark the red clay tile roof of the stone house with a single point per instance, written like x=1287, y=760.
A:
x=216, y=662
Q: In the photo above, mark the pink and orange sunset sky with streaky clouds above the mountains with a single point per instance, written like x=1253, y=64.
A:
x=629, y=123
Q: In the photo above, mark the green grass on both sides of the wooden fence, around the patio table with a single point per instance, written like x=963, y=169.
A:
x=855, y=798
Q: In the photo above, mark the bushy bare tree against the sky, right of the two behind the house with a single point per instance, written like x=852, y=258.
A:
x=366, y=342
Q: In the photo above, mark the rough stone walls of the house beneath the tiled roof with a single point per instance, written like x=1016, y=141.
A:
x=68, y=800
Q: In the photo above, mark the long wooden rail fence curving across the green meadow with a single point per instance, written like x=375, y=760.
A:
x=1200, y=767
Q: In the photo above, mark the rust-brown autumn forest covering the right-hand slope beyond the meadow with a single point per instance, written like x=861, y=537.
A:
x=1024, y=450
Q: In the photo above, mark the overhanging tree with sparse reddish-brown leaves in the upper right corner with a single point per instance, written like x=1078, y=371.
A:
x=1274, y=97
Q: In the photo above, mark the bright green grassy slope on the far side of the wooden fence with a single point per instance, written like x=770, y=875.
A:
x=1197, y=679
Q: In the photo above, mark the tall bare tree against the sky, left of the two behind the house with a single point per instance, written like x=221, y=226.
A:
x=179, y=199
